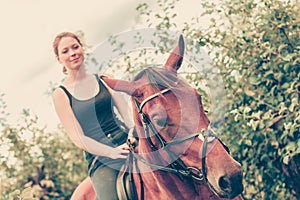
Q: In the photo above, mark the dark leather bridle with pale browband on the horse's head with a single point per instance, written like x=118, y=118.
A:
x=177, y=167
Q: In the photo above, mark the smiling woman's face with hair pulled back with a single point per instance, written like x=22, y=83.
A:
x=70, y=53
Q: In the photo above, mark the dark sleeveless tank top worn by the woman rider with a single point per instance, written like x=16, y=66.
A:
x=97, y=119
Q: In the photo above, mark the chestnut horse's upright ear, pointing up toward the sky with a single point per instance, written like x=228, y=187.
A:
x=176, y=57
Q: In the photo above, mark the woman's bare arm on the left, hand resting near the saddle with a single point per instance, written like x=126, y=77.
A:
x=75, y=133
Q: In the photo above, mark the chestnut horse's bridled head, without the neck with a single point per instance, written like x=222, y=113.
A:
x=170, y=120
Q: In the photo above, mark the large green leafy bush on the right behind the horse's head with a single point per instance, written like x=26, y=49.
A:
x=255, y=45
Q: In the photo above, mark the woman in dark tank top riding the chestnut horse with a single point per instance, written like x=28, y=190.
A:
x=85, y=107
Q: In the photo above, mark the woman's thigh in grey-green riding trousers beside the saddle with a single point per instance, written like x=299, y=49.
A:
x=104, y=183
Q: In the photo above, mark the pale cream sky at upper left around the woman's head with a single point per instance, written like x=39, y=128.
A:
x=28, y=28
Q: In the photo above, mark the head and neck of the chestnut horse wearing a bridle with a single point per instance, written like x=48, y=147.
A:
x=179, y=155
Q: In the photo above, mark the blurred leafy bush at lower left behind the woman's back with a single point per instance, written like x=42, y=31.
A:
x=47, y=164
